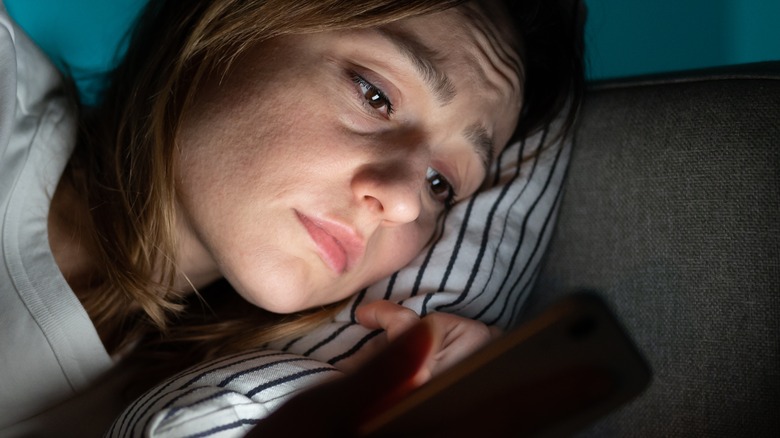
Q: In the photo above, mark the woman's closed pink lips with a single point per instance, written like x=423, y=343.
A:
x=338, y=245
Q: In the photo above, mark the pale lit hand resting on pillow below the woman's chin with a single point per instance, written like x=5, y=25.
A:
x=461, y=336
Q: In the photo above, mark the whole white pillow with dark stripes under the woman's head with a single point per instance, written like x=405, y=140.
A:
x=482, y=267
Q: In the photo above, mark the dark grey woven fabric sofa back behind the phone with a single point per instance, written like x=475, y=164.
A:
x=672, y=211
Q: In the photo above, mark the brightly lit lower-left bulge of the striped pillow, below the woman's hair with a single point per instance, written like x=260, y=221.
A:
x=222, y=398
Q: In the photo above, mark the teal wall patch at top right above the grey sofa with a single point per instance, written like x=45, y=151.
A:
x=627, y=37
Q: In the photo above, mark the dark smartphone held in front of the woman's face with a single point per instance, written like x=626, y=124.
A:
x=551, y=376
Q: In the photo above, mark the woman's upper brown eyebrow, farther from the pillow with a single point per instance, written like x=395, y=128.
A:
x=423, y=58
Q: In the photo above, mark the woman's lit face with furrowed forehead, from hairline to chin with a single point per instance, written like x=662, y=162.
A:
x=322, y=163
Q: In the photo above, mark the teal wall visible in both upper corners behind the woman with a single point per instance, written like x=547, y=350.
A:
x=624, y=37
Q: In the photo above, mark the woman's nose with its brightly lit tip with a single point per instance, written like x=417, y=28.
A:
x=390, y=191
